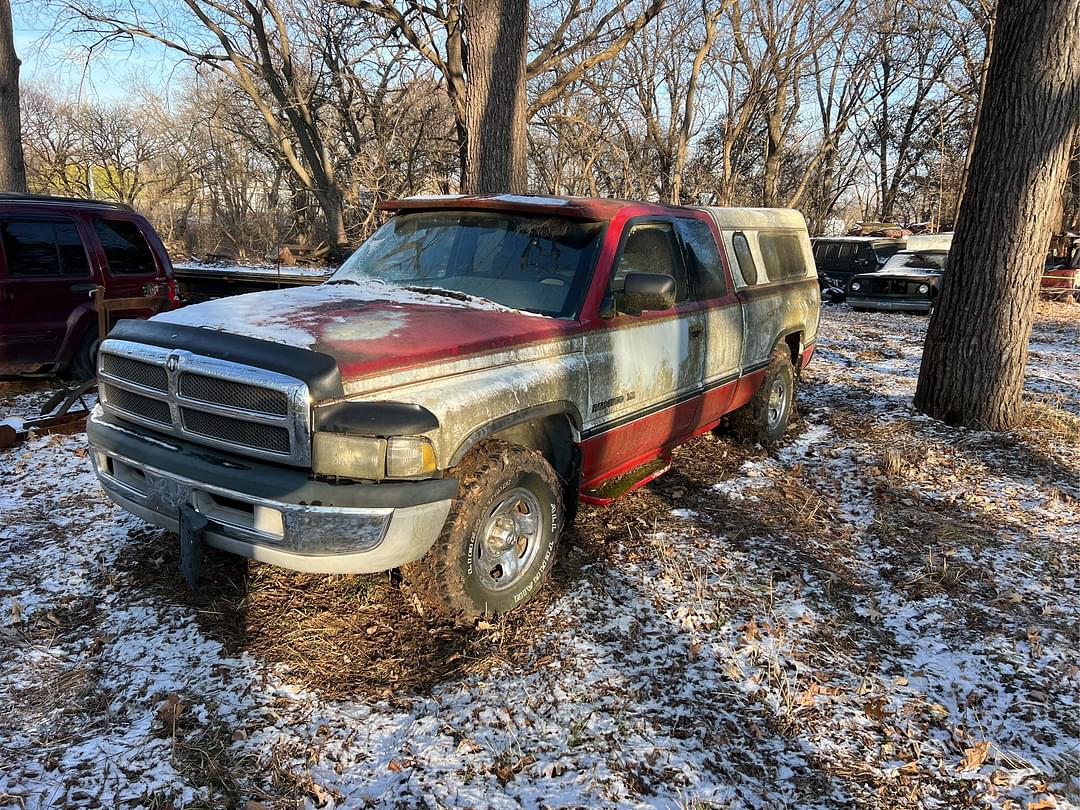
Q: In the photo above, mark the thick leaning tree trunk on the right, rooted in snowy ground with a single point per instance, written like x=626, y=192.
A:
x=977, y=346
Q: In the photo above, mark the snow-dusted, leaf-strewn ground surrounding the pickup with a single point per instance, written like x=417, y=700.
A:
x=882, y=614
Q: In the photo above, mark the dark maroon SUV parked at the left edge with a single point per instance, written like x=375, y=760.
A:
x=53, y=253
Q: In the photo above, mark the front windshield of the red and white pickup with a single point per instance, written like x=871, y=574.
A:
x=538, y=264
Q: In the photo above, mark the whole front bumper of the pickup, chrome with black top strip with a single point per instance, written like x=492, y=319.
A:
x=265, y=512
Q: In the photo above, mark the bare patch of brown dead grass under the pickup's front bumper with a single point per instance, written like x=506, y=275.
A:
x=343, y=636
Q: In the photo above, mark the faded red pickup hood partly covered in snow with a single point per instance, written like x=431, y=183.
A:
x=371, y=330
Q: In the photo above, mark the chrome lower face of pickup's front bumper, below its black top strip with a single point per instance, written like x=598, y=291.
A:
x=296, y=536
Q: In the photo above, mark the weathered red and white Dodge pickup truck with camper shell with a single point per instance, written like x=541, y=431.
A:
x=443, y=402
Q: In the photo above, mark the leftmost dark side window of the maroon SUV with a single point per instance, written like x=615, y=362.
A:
x=44, y=248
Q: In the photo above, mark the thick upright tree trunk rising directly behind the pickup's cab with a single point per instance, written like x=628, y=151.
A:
x=495, y=99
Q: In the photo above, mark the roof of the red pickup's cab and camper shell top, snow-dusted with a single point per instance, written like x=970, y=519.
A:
x=592, y=208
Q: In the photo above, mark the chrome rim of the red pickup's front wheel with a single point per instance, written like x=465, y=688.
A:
x=509, y=541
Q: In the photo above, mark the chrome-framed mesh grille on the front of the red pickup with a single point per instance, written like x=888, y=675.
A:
x=209, y=401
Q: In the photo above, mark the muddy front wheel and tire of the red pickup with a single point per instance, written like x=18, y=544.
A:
x=462, y=578
